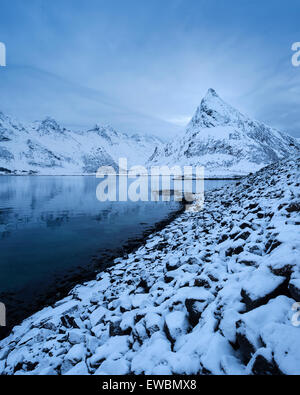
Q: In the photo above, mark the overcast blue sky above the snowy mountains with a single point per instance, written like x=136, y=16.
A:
x=144, y=65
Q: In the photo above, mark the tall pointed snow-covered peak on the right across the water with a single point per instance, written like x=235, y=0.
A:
x=226, y=142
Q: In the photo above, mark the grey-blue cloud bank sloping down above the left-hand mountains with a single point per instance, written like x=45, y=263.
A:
x=71, y=104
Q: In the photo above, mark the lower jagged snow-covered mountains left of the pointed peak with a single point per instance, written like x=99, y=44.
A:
x=47, y=148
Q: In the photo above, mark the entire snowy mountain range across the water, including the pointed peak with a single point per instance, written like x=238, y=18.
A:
x=227, y=143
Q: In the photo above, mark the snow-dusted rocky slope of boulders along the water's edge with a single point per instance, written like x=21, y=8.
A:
x=213, y=293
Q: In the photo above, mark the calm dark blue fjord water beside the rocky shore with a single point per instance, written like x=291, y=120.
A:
x=55, y=233
